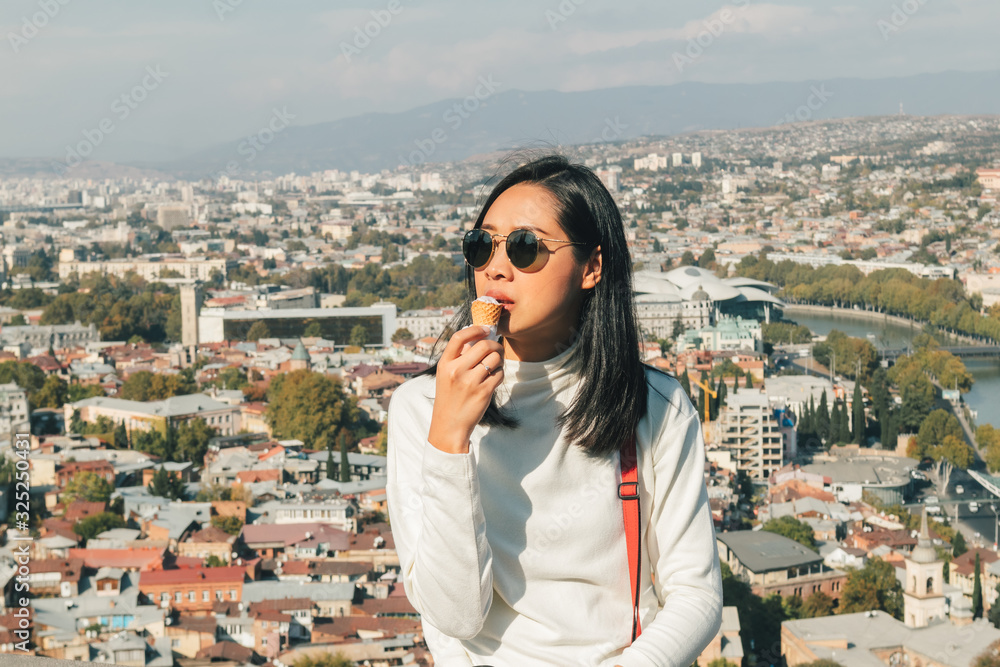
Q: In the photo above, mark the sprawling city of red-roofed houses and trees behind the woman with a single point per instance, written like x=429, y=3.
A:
x=196, y=376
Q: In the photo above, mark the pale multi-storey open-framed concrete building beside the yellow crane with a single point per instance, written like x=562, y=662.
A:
x=747, y=427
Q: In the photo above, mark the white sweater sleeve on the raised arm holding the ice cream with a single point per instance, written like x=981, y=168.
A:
x=437, y=523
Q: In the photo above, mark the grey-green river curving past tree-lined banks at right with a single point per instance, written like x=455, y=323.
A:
x=985, y=395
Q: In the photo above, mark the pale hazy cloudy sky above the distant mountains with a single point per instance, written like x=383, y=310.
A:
x=147, y=80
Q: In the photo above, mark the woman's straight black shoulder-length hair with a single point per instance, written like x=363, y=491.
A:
x=612, y=395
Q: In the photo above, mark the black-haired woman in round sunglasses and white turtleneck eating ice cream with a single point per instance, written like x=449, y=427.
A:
x=504, y=459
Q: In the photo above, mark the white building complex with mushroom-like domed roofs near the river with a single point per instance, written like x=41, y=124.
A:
x=690, y=297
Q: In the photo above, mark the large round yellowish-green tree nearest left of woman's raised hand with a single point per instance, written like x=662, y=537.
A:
x=310, y=407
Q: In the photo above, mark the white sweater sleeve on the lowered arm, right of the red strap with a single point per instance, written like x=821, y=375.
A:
x=680, y=540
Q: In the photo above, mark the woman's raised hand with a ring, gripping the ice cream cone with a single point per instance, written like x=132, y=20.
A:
x=464, y=387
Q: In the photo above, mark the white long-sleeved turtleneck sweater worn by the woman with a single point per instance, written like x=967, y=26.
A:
x=515, y=554
